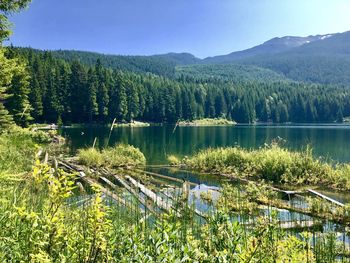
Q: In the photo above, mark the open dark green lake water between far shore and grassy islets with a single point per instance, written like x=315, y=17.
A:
x=156, y=142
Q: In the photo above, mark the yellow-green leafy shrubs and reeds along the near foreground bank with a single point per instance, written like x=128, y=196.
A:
x=43, y=226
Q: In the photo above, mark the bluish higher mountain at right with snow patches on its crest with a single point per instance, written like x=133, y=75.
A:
x=320, y=59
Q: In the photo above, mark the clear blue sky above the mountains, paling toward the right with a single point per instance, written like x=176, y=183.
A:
x=201, y=27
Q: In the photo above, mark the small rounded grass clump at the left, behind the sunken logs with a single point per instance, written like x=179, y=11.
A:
x=118, y=156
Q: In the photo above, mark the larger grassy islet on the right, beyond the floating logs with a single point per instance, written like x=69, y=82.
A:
x=274, y=164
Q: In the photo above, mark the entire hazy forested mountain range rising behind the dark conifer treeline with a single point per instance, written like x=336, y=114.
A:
x=321, y=59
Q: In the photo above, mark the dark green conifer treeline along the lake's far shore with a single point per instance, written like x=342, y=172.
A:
x=71, y=92
